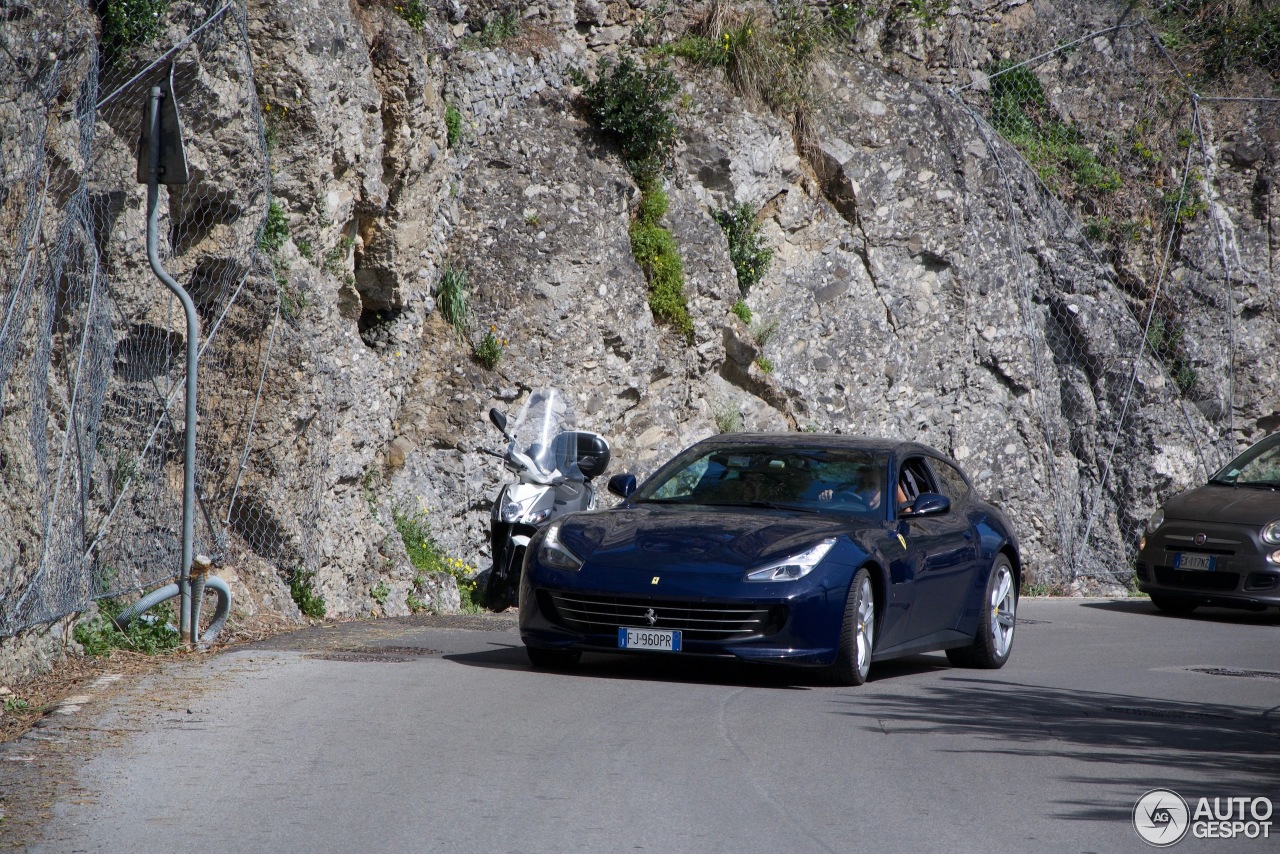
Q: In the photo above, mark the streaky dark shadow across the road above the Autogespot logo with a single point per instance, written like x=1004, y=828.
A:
x=1133, y=743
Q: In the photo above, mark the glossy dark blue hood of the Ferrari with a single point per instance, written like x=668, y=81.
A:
x=703, y=538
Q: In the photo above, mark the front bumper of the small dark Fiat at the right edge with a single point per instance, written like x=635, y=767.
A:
x=1240, y=577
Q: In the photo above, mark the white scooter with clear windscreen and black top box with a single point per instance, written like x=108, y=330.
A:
x=554, y=465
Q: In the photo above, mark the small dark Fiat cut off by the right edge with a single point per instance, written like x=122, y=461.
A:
x=1219, y=545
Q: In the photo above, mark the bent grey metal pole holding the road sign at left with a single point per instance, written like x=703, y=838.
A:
x=188, y=625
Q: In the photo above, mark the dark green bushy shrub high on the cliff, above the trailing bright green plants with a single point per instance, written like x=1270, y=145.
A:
x=632, y=104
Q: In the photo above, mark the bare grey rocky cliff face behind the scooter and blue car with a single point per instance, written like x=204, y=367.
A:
x=924, y=284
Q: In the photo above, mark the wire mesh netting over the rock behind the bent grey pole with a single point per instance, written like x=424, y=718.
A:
x=93, y=346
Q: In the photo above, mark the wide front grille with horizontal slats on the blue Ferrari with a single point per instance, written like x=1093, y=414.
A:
x=698, y=620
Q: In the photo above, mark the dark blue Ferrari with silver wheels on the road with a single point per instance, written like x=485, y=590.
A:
x=820, y=551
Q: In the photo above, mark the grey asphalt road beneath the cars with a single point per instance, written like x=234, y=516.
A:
x=436, y=736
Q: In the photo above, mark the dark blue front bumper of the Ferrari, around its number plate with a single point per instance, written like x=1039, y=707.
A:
x=797, y=623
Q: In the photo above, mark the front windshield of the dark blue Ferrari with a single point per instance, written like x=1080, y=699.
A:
x=838, y=481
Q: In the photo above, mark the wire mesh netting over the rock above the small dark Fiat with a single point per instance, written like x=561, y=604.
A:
x=1164, y=188
